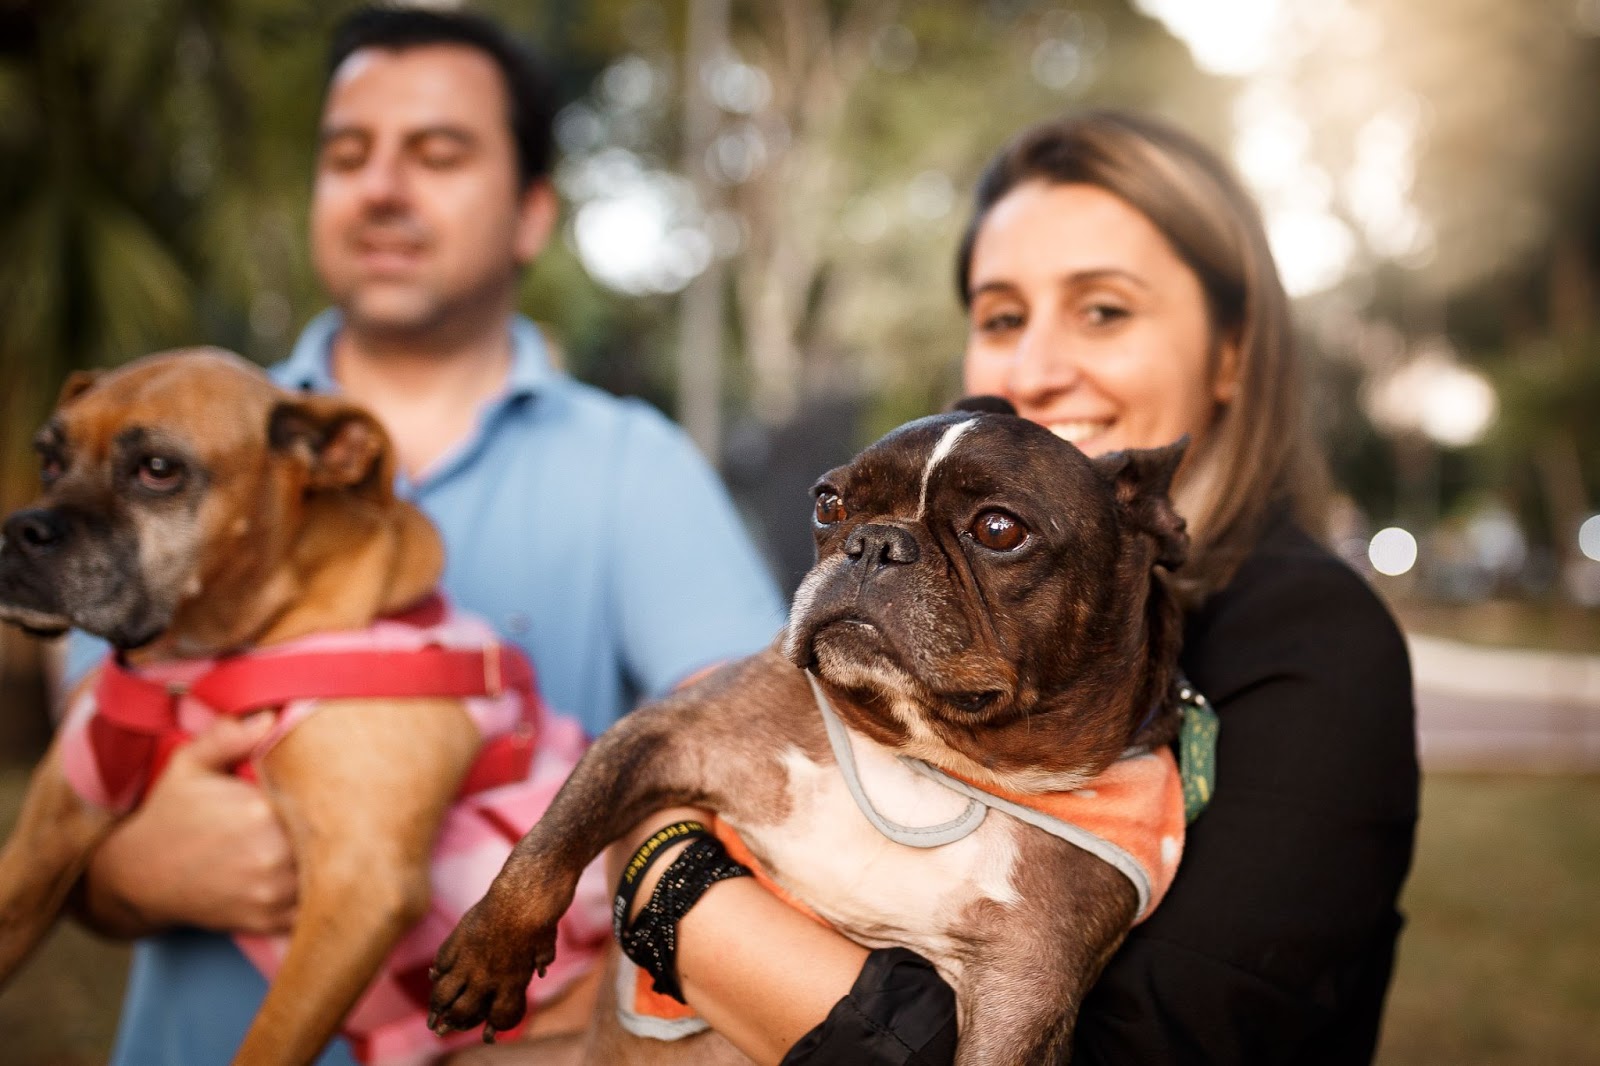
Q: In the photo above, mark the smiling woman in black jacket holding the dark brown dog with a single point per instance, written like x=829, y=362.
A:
x=1121, y=292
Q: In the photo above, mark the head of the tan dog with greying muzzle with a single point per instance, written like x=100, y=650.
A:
x=161, y=479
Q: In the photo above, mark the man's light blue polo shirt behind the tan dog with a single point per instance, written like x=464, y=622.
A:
x=590, y=532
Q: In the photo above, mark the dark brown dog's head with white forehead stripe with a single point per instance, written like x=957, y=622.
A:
x=986, y=596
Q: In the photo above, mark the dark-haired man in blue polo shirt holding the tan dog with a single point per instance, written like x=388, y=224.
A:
x=586, y=529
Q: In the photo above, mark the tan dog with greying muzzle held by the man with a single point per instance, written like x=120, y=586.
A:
x=193, y=510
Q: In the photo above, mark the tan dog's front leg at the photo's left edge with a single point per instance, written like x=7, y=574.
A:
x=54, y=840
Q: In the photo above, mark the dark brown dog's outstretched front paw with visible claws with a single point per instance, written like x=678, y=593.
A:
x=481, y=976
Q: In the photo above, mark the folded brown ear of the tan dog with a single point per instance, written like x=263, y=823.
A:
x=340, y=444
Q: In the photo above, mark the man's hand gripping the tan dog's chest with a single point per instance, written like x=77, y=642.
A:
x=206, y=849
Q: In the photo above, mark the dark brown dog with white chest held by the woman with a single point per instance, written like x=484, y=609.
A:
x=986, y=601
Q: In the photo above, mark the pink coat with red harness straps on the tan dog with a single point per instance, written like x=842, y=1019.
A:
x=111, y=759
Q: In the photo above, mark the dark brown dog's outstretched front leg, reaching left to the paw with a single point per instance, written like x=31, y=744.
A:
x=686, y=750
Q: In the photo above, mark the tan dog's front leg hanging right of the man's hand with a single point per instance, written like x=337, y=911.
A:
x=362, y=787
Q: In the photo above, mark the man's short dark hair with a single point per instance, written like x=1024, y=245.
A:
x=529, y=87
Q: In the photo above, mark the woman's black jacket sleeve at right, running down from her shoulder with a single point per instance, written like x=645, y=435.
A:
x=1276, y=942
